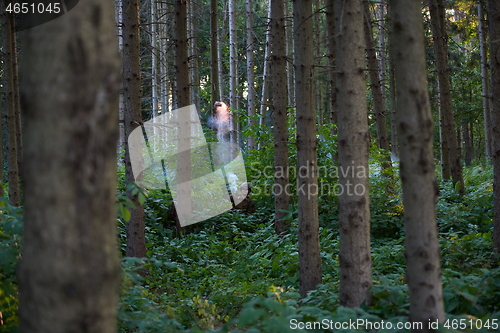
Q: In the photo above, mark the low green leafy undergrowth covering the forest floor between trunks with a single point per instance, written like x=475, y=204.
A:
x=234, y=274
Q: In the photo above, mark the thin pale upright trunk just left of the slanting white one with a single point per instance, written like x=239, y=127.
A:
x=250, y=73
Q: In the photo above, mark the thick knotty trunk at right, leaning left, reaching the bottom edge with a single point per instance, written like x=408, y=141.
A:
x=415, y=129
